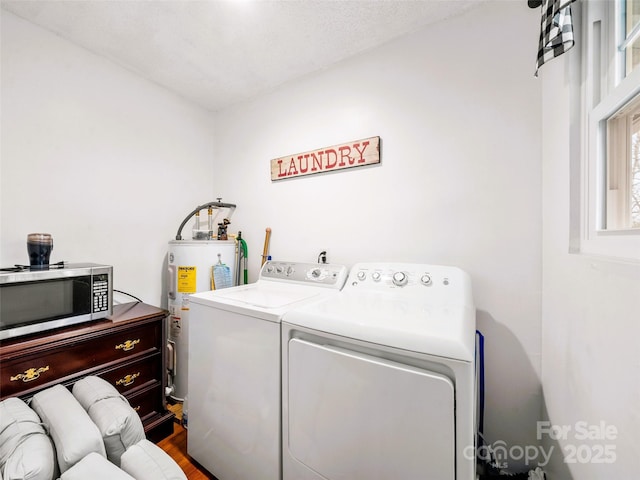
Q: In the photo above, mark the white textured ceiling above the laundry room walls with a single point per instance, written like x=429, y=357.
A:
x=220, y=52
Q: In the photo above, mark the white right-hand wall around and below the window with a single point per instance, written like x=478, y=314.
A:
x=590, y=322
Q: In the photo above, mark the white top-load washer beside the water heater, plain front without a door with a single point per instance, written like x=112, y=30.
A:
x=234, y=384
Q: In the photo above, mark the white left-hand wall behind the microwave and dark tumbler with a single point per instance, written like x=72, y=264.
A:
x=105, y=161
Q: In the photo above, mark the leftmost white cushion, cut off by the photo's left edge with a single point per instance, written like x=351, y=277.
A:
x=26, y=452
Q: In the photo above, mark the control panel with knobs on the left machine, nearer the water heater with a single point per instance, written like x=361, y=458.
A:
x=329, y=275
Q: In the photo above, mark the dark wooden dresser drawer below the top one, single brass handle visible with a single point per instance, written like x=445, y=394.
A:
x=132, y=376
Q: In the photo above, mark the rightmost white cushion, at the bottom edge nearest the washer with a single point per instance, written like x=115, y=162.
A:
x=147, y=461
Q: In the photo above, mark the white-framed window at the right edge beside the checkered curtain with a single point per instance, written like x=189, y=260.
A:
x=611, y=101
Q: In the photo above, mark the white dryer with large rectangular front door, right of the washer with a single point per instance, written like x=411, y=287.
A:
x=378, y=380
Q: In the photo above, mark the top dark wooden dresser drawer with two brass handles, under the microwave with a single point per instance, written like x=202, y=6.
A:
x=31, y=371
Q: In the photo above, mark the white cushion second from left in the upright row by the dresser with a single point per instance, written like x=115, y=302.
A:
x=72, y=431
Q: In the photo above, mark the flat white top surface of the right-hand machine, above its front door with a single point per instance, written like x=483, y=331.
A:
x=441, y=329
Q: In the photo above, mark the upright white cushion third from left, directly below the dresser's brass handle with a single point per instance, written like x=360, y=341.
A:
x=118, y=423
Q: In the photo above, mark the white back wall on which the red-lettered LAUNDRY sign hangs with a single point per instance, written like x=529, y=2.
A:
x=458, y=111
